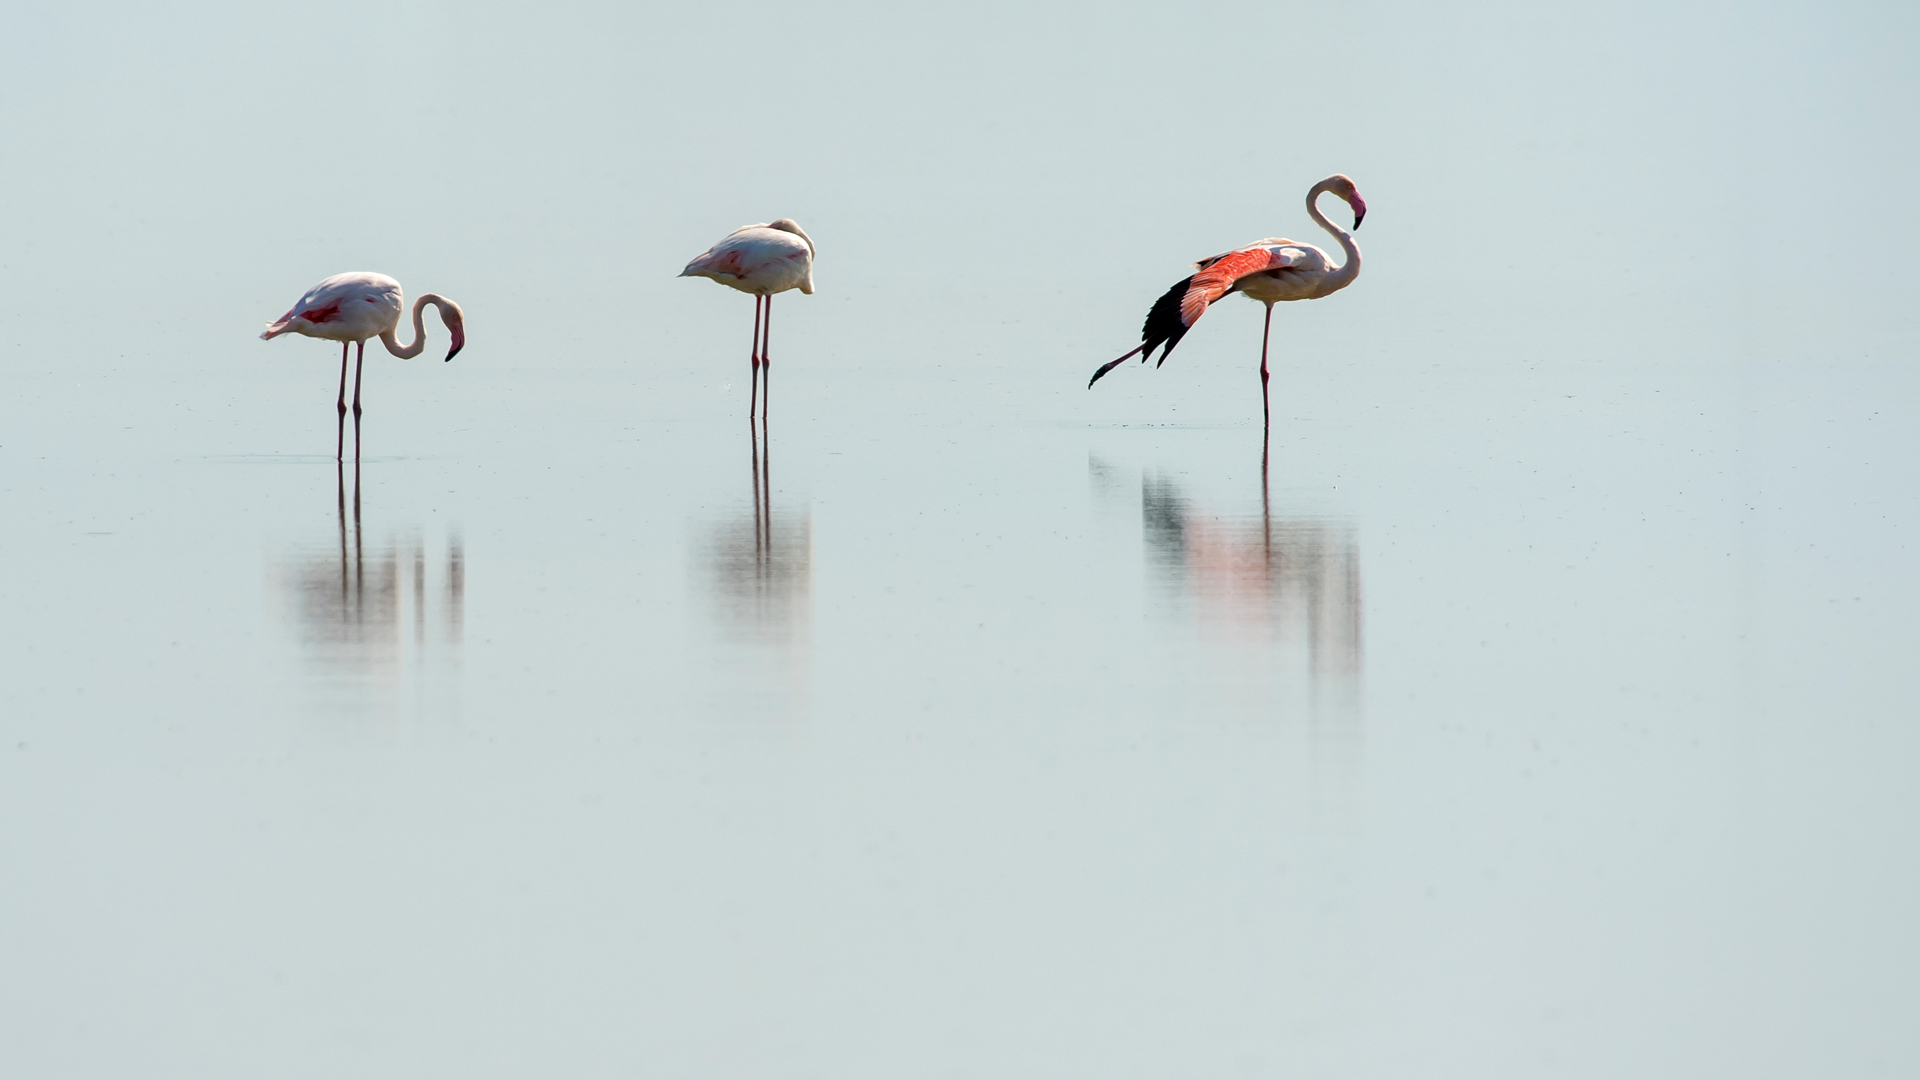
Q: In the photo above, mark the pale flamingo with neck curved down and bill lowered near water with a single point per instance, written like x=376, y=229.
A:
x=350, y=308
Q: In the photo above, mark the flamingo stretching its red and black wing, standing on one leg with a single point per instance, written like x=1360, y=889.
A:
x=1268, y=272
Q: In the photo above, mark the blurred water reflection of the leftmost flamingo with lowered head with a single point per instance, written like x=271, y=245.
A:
x=373, y=614
